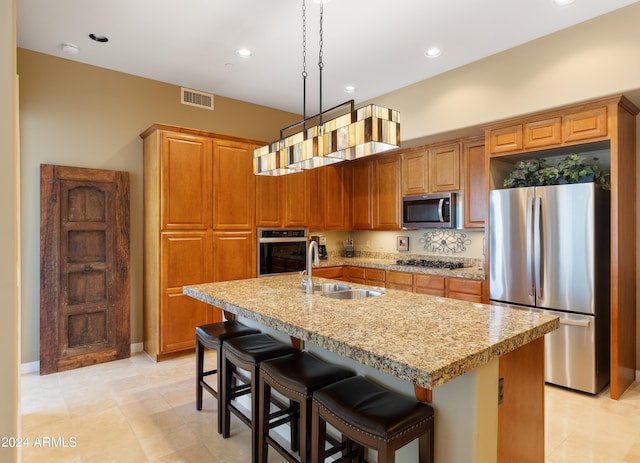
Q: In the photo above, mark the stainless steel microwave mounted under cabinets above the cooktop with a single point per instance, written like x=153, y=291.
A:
x=429, y=211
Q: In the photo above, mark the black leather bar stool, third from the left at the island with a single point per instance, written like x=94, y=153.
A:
x=295, y=377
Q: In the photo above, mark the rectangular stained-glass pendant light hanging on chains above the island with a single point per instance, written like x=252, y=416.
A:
x=357, y=133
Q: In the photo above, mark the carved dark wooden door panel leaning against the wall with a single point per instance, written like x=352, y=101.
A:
x=84, y=267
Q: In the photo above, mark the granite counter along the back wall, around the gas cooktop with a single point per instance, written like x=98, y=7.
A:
x=472, y=272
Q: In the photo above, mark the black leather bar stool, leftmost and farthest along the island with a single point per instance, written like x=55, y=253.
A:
x=212, y=336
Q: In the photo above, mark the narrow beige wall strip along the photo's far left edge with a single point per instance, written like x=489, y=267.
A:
x=9, y=295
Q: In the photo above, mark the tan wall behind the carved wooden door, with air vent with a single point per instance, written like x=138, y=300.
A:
x=78, y=115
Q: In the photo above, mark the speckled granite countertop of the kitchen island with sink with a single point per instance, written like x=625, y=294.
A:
x=423, y=339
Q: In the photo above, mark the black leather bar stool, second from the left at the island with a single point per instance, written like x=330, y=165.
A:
x=246, y=353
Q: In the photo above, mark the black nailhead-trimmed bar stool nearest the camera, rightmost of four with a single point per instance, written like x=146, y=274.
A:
x=371, y=416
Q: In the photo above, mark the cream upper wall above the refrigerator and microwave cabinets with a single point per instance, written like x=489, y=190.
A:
x=594, y=59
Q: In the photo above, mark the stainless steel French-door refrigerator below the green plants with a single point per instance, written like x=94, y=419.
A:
x=549, y=251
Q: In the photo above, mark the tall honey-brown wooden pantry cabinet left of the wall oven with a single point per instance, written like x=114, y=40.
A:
x=199, y=226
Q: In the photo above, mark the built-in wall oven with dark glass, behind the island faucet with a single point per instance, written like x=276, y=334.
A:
x=281, y=250
